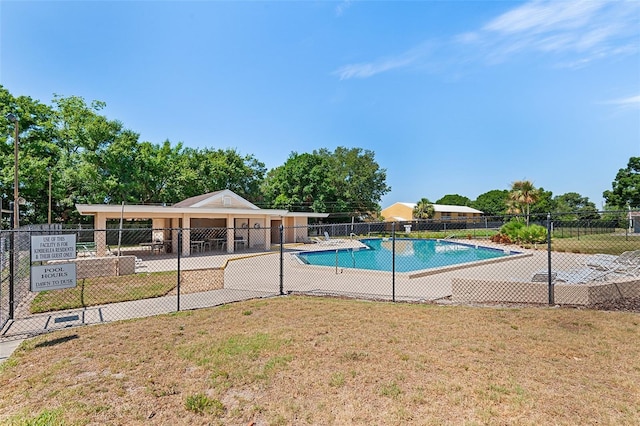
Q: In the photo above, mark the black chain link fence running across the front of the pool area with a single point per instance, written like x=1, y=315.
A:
x=136, y=272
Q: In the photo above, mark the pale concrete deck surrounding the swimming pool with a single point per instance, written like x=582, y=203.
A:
x=260, y=271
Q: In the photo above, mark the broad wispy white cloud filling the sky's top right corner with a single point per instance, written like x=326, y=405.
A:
x=584, y=29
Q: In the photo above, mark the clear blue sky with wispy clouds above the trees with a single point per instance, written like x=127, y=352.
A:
x=453, y=97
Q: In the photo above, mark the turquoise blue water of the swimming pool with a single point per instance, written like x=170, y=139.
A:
x=411, y=255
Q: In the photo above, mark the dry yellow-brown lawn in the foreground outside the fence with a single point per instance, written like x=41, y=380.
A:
x=299, y=360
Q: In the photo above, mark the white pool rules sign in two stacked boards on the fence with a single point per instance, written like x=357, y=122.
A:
x=53, y=276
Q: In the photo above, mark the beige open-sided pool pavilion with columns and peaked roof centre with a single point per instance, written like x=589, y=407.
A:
x=218, y=220
